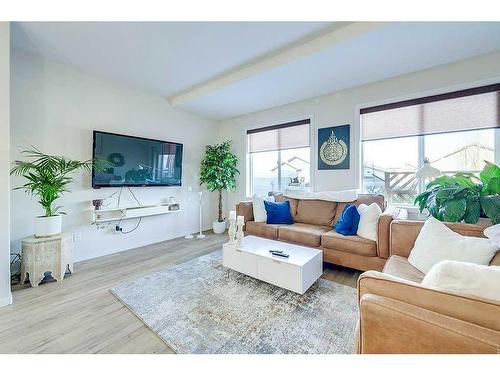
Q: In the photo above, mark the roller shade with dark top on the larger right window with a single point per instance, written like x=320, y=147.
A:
x=472, y=109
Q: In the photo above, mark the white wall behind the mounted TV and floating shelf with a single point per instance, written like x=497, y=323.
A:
x=55, y=107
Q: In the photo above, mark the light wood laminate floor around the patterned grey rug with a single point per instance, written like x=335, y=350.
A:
x=80, y=315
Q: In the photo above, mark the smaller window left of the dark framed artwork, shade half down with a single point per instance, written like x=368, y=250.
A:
x=279, y=158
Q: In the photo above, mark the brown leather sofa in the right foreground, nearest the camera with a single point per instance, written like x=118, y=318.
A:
x=399, y=315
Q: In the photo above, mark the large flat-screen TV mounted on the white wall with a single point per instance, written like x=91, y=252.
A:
x=134, y=161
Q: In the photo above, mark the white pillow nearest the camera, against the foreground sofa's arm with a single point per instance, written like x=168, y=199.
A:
x=465, y=278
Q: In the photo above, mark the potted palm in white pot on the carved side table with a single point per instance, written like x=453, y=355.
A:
x=48, y=178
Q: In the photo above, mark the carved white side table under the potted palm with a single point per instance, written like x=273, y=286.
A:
x=46, y=254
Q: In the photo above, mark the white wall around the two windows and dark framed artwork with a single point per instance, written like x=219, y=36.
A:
x=343, y=108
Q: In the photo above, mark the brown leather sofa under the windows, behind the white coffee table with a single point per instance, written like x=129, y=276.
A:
x=313, y=221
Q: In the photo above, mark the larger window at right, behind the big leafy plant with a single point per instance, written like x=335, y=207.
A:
x=456, y=132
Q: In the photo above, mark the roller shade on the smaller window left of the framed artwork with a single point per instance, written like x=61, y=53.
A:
x=279, y=137
